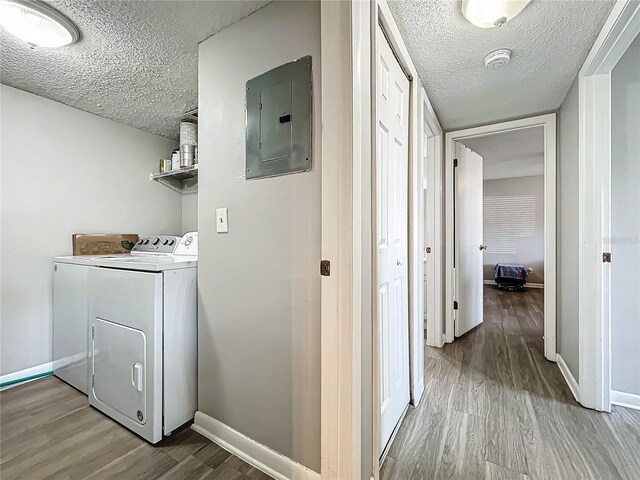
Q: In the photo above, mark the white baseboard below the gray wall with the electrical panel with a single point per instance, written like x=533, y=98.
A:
x=260, y=456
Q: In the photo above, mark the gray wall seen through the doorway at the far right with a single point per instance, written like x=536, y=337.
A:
x=625, y=222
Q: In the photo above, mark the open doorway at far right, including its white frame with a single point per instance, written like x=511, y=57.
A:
x=601, y=164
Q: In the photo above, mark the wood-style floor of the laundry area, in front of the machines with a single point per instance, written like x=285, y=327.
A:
x=48, y=431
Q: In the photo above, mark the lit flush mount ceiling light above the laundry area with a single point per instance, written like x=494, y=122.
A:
x=36, y=23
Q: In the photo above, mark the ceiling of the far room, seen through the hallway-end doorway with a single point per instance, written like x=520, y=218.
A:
x=519, y=153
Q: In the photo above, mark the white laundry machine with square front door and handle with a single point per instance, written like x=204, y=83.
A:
x=143, y=345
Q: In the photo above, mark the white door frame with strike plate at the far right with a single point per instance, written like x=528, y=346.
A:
x=594, y=166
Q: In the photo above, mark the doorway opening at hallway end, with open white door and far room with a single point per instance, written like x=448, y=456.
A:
x=500, y=231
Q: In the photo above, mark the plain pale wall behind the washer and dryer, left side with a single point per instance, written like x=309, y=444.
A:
x=65, y=171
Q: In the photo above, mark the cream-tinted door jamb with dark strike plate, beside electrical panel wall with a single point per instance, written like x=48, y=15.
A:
x=340, y=316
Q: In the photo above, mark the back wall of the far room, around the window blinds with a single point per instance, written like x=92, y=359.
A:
x=529, y=248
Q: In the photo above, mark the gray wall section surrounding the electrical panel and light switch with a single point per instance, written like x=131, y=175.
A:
x=259, y=287
